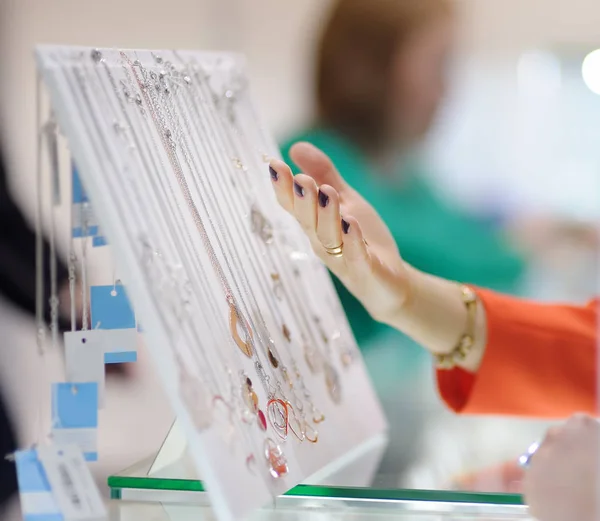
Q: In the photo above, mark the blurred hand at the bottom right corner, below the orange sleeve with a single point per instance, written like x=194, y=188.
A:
x=561, y=483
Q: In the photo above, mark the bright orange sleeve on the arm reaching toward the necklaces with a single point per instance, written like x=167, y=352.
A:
x=540, y=361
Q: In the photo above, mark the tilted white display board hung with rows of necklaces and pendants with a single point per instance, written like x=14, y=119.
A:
x=242, y=320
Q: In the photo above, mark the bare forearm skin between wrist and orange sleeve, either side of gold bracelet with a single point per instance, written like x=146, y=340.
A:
x=435, y=316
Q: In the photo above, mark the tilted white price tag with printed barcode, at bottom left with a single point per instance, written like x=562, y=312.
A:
x=72, y=485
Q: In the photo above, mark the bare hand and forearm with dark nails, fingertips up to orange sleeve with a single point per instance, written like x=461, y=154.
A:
x=335, y=217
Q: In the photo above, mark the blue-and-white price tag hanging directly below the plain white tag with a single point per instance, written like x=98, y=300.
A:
x=75, y=416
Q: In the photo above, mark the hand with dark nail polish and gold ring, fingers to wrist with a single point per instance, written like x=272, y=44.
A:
x=333, y=215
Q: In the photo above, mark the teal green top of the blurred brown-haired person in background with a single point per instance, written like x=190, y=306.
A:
x=432, y=235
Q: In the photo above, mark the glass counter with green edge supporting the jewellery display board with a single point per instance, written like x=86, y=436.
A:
x=137, y=494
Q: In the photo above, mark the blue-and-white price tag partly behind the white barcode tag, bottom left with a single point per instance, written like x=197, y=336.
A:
x=37, y=501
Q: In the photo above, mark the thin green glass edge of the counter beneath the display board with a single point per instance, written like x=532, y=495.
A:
x=446, y=496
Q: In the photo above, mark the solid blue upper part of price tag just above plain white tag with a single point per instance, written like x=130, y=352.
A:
x=111, y=308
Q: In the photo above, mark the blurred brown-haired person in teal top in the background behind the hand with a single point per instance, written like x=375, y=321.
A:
x=380, y=80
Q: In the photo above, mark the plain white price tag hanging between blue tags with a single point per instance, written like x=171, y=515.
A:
x=84, y=359
